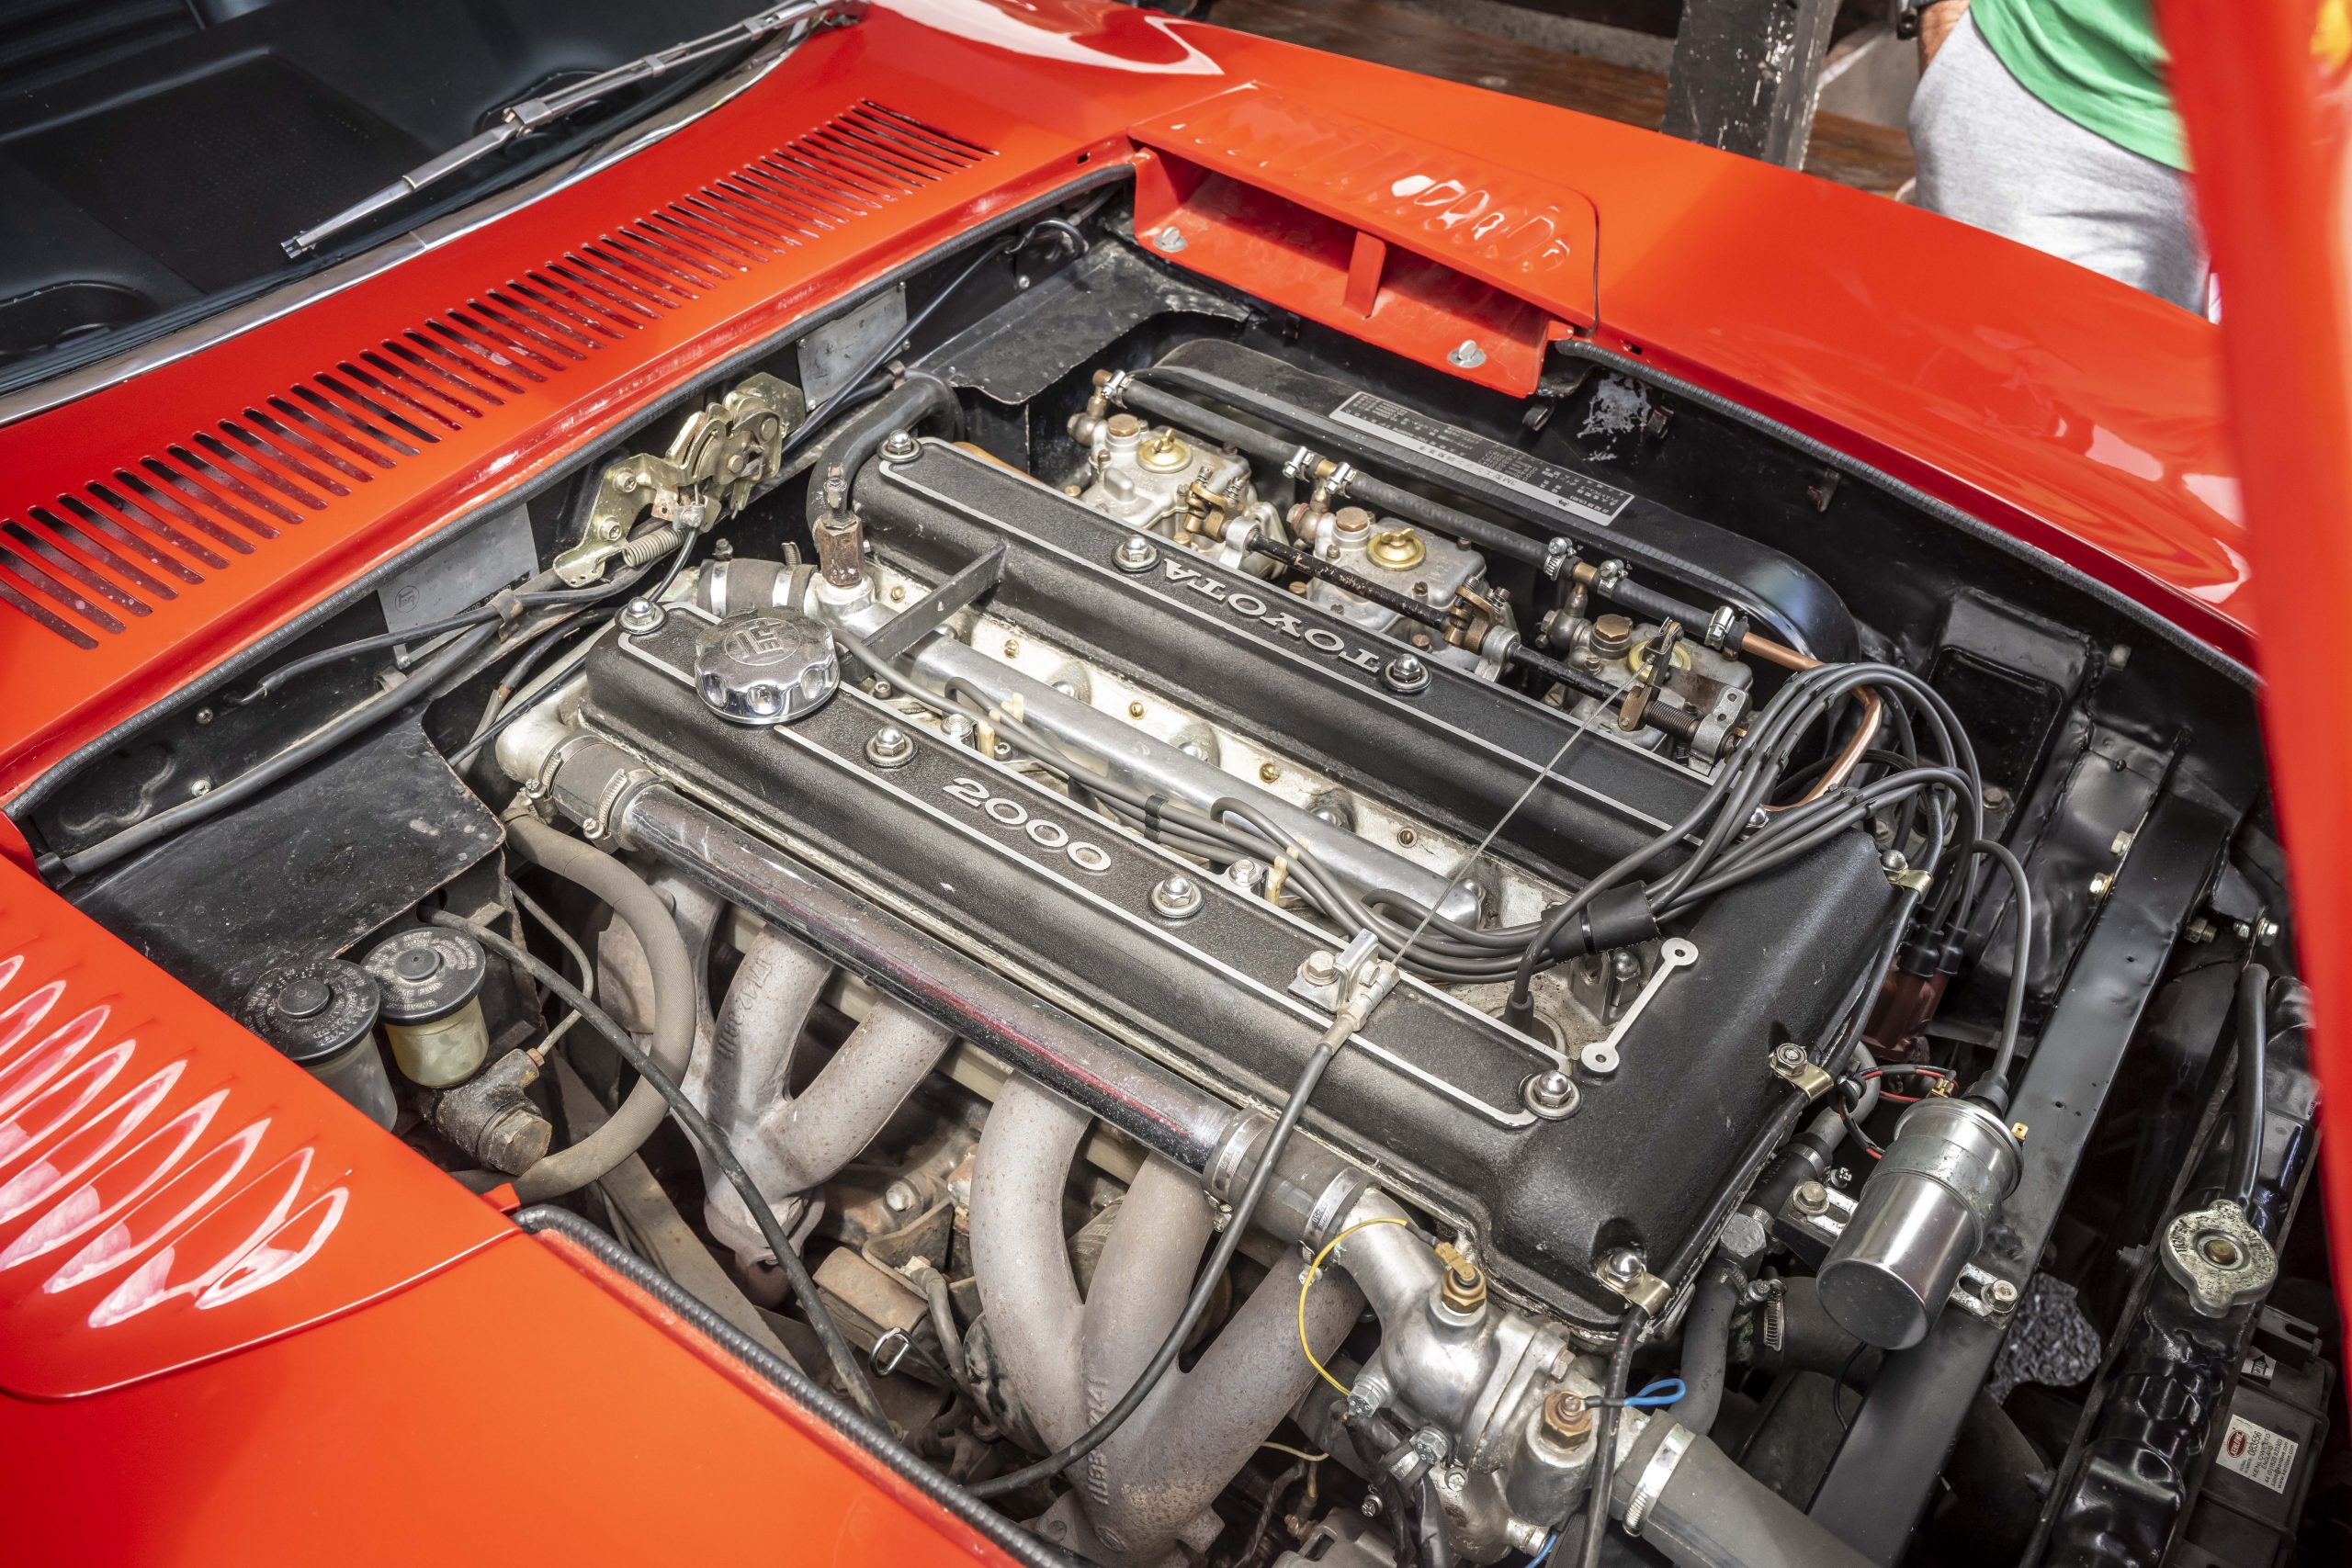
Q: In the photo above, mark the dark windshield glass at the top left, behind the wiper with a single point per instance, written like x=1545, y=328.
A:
x=152, y=170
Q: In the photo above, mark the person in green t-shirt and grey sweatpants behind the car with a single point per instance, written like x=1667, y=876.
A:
x=2050, y=121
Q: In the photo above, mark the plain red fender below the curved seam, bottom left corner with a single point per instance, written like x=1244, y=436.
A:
x=521, y=1407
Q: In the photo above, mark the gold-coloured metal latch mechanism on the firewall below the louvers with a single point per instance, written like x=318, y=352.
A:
x=711, y=471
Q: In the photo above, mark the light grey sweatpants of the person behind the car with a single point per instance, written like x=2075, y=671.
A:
x=2000, y=159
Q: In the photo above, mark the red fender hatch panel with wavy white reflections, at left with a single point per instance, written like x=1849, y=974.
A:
x=171, y=1188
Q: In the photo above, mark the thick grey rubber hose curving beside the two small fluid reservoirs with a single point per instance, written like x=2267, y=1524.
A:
x=671, y=972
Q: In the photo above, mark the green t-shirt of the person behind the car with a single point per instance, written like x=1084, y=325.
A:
x=2097, y=62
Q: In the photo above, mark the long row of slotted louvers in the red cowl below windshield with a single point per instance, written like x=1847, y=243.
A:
x=95, y=561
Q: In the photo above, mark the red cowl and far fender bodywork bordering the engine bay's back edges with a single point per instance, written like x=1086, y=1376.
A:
x=2076, y=413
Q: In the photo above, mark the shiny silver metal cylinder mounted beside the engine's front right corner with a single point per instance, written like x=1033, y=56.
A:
x=1920, y=1219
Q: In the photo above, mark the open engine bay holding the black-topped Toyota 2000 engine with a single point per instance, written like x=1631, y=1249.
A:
x=1372, y=970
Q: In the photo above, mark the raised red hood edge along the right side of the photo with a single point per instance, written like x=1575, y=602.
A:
x=2266, y=88
